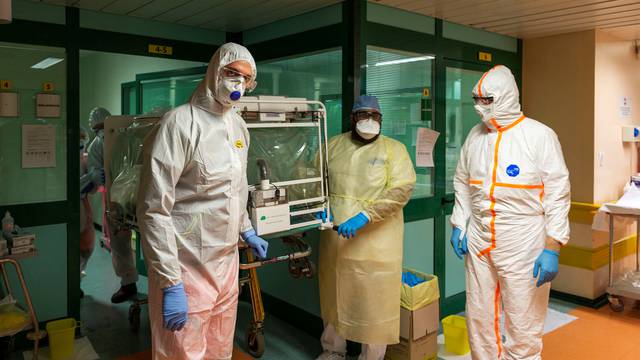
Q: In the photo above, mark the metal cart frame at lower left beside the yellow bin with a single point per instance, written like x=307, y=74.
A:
x=36, y=334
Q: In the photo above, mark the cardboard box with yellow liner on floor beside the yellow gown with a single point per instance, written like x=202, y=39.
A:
x=418, y=327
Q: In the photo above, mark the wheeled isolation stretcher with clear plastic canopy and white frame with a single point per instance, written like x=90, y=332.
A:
x=287, y=135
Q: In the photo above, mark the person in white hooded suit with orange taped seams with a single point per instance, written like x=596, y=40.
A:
x=510, y=219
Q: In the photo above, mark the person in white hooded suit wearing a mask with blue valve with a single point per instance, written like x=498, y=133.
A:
x=192, y=213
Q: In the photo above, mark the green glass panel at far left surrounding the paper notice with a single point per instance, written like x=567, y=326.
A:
x=20, y=186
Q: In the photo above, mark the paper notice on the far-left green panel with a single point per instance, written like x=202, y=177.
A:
x=38, y=146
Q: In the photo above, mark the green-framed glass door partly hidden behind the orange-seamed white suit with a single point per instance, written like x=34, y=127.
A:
x=460, y=118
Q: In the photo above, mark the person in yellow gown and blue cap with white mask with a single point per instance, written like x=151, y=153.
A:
x=371, y=178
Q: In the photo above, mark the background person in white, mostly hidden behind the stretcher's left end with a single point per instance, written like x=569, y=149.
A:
x=122, y=256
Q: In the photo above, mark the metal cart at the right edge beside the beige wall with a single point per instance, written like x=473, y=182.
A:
x=627, y=286
